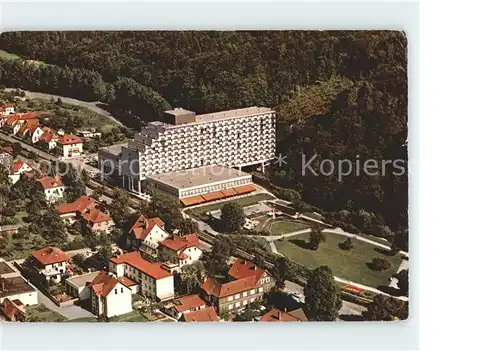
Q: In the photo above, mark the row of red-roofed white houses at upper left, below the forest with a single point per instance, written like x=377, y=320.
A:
x=28, y=127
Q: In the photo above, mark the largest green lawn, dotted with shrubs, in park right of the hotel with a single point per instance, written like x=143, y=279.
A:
x=350, y=265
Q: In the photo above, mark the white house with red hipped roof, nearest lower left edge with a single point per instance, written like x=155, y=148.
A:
x=50, y=262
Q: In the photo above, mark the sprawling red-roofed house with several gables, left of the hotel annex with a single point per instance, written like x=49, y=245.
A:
x=89, y=212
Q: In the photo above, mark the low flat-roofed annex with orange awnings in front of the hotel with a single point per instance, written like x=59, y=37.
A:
x=203, y=184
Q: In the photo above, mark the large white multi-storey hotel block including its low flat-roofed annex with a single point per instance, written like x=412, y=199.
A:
x=177, y=154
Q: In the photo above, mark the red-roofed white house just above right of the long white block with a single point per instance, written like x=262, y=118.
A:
x=181, y=251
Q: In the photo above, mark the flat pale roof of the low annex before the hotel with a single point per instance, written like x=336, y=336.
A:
x=198, y=176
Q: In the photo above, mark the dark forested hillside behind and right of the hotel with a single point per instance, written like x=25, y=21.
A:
x=338, y=94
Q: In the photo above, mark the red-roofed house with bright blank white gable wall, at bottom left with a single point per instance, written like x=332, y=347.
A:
x=109, y=296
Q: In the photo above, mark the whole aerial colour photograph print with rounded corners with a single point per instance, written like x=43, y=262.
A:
x=204, y=176
